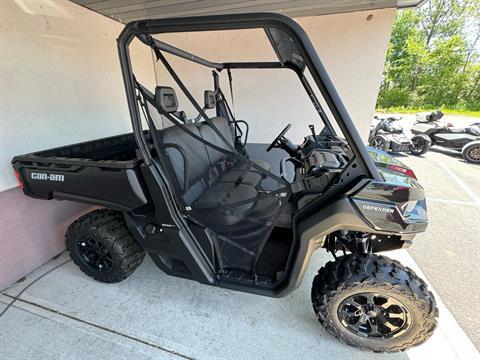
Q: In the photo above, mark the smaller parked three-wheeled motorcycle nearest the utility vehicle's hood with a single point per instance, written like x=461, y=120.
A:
x=388, y=135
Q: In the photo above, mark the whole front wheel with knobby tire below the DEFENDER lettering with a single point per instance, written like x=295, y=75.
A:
x=374, y=303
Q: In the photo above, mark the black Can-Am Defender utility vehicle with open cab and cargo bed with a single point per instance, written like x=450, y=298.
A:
x=186, y=192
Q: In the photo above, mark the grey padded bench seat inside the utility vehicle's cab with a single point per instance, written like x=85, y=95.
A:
x=212, y=177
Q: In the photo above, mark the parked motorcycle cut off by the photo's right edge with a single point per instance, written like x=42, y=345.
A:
x=465, y=140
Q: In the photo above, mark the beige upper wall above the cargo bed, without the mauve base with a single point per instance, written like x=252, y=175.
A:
x=60, y=78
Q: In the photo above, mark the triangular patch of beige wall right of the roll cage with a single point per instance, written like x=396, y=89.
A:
x=353, y=51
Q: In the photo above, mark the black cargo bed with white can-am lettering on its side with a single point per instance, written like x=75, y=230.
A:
x=101, y=172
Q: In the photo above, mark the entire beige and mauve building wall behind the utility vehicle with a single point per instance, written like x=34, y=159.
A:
x=60, y=83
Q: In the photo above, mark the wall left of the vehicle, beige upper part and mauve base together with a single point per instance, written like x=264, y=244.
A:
x=60, y=83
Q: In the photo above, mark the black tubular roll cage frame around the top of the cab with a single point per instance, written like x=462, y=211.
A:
x=291, y=45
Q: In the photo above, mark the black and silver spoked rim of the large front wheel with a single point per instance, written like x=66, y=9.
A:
x=374, y=315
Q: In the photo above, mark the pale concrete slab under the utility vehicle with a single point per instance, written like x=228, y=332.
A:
x=67, y=315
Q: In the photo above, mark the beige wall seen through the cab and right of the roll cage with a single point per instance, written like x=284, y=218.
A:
x=352, y=47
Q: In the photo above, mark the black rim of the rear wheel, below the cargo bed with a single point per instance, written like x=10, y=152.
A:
x=95, y=254
